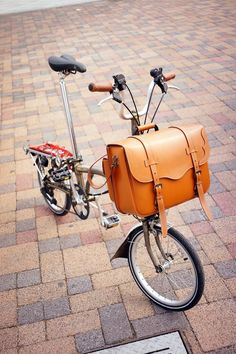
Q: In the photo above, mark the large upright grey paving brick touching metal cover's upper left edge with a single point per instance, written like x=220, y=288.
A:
x=115, y=323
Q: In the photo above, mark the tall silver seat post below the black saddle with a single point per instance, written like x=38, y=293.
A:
x=68, y=116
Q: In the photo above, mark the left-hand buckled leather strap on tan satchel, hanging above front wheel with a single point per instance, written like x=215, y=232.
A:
x=157, y=184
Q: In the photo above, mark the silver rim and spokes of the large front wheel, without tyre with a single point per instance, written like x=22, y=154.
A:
x=177, y=284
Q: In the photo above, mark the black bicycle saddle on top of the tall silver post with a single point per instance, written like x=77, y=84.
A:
x=66, y=64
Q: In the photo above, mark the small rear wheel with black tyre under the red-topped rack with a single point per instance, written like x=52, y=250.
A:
x=58, y=201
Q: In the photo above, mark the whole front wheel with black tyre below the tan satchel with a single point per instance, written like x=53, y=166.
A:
x=177, y=282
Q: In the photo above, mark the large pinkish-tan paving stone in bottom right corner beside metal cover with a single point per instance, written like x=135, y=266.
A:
x=206, y=321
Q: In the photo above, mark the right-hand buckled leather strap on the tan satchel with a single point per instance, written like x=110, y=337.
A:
x=193, y=152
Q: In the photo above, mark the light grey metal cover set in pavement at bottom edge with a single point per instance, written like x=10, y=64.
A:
x=170, y=343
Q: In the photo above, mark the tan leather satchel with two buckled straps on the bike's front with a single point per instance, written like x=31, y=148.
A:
x=149, y=173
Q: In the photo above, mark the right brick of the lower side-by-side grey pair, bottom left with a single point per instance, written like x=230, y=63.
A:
x=56, y=307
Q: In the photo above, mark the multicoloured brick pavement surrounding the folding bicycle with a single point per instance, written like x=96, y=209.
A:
x=59, y=292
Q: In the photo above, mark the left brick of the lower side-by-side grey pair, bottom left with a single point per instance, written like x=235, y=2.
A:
x=30, y=313
